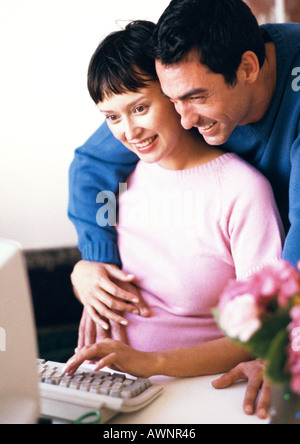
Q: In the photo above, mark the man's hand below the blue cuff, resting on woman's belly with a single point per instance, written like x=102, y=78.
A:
x=105, y=290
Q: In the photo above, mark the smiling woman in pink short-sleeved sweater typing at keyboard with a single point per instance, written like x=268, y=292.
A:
x=191, y=218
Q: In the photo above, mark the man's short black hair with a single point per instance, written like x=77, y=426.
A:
x=220, y=30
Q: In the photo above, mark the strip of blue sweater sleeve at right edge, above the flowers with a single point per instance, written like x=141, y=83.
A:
x=291, y=250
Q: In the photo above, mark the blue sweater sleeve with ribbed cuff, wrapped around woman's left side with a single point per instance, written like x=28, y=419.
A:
x=99, y=165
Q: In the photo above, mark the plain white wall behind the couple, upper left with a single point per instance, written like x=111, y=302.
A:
x=45, y=109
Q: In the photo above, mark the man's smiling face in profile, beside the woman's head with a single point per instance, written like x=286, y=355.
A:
x=203, y=99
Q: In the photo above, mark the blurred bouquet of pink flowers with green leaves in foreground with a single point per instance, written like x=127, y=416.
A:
x=263, y=315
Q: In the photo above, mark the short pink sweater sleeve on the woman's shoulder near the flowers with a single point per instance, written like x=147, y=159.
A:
x=253, y=222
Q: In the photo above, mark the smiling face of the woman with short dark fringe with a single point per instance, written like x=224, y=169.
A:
x=145, y=122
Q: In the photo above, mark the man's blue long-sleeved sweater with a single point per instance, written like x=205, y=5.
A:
x=271, y=145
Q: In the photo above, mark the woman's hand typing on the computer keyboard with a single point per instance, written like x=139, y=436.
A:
x=117, y=356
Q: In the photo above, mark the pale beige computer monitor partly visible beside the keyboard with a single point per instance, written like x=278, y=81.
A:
x=19, y=394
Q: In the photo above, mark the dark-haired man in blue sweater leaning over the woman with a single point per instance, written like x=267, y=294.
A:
x=239, y=85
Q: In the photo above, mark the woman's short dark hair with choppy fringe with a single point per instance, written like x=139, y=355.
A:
x=123, y=62
